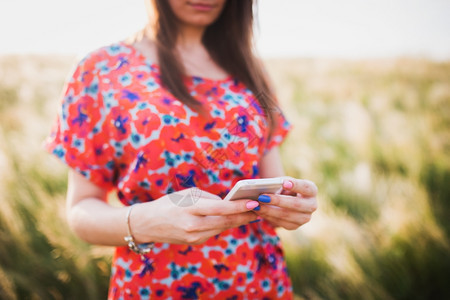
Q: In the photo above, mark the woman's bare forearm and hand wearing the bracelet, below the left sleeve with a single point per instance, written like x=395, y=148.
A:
x=97, y=222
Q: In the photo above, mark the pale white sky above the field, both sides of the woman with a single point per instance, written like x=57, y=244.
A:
x=286, y=28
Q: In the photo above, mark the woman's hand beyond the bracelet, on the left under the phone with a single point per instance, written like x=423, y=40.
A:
x=164, y=221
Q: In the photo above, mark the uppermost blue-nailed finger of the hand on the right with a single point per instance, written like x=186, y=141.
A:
x=305, y=205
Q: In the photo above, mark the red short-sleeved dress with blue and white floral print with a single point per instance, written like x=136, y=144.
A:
x=120, y=129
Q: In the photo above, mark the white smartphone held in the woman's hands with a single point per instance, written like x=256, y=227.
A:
x=252, y=188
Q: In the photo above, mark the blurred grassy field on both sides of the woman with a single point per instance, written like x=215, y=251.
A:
x=373, y=134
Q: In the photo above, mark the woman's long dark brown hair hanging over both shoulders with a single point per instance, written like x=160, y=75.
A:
x=229, y=41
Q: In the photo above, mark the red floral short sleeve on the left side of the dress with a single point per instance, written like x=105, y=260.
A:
x=79, y=136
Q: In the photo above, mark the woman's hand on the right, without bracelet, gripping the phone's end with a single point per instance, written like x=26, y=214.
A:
x=291, y=208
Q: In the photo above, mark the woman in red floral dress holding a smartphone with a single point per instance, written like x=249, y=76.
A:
x=184, y=112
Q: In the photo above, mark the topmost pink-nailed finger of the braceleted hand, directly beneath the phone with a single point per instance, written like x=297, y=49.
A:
x=206, y=207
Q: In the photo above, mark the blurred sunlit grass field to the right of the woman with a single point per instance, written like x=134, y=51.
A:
x=375, y=138
